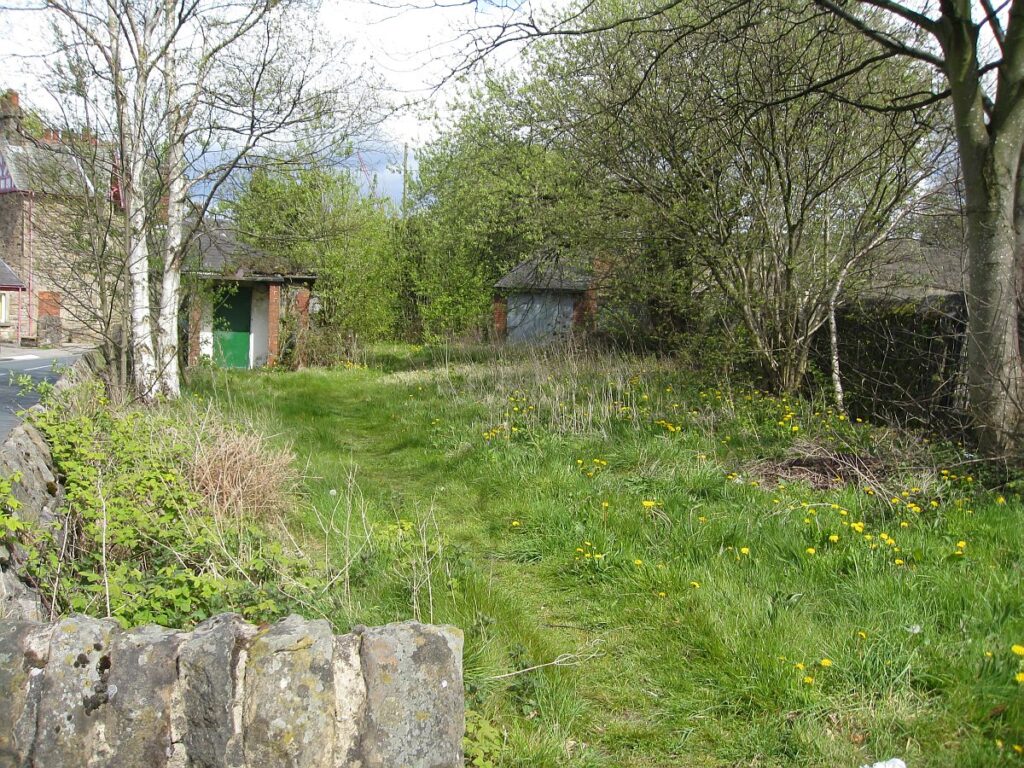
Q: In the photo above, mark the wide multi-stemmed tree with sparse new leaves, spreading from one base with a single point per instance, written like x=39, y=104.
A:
x=714, y=160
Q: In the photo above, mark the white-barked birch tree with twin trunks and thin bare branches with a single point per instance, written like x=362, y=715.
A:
x=188, y=95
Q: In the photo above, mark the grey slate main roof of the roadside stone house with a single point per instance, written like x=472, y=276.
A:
x=50, y=169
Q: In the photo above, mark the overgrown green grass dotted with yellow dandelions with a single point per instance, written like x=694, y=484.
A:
x=478, y=501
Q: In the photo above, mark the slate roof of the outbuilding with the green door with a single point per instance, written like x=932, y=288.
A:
x=223, y=257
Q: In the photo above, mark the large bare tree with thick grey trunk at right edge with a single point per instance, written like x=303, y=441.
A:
x=984, y=82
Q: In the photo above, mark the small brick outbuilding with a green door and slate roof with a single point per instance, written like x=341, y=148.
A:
x=240, y=301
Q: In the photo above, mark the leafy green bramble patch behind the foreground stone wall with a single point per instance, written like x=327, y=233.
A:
x=137, y=542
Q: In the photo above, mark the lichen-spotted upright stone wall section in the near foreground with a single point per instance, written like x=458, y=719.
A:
x=84, y=693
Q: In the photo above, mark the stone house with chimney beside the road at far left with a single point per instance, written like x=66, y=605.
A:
x=41, y=187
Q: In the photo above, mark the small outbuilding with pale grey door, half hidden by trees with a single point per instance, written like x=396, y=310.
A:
x=544, y=300
